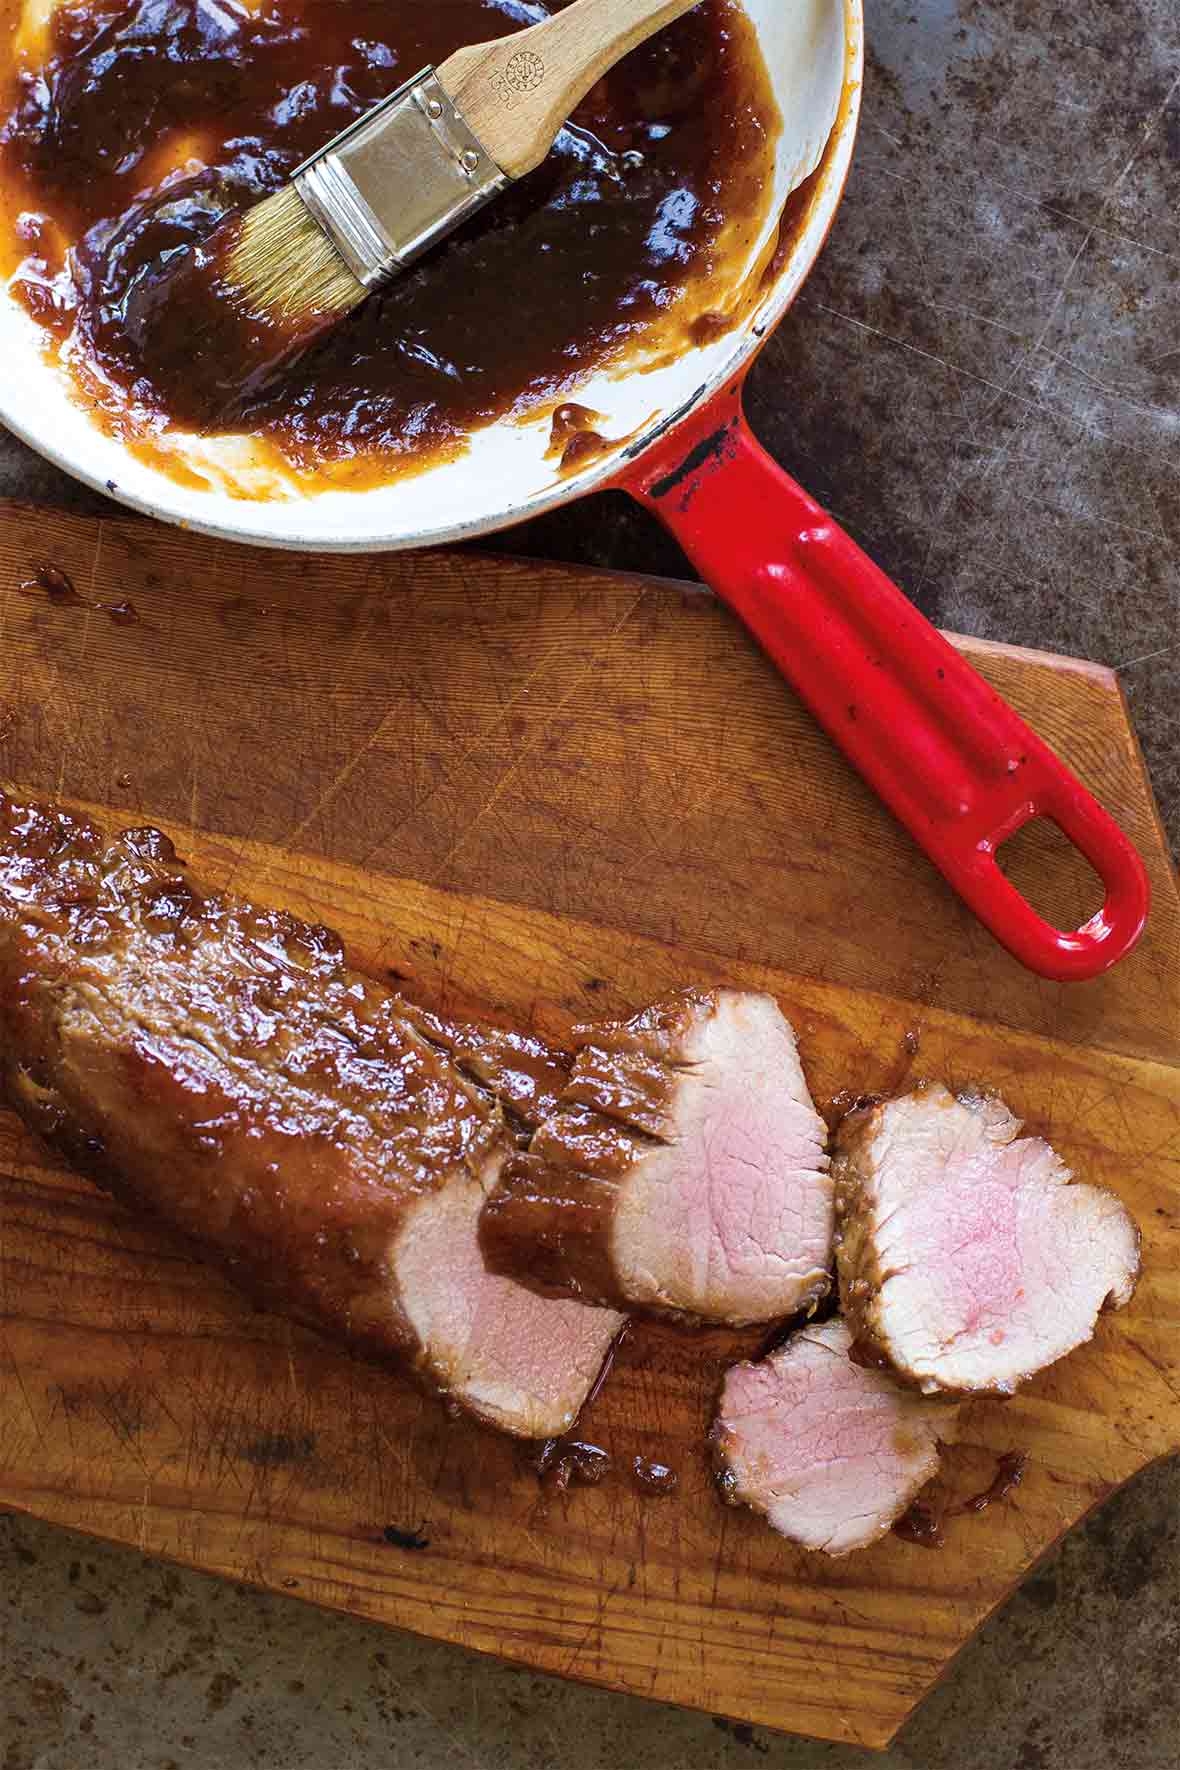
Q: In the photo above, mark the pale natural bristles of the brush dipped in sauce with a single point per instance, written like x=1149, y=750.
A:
x=286, y=266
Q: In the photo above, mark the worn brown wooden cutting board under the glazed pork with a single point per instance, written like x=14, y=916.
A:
x=553, y=794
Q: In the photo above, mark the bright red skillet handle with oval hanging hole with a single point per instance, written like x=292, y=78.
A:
x=946, y=753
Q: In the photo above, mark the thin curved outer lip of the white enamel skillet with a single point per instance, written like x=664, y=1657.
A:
x=597, y=477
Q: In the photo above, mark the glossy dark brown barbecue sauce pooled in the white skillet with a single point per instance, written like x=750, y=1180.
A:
x=135, y=128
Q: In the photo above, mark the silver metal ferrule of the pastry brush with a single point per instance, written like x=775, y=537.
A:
x=399, y=180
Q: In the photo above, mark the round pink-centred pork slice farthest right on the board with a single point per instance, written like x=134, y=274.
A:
x=969, y=1258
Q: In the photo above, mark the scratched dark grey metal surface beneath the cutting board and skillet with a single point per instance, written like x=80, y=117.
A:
x=983, y=380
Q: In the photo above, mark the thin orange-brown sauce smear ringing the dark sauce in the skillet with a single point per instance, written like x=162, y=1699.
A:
x=705, y=296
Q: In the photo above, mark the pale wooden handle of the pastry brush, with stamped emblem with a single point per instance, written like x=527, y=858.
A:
x=519, y=91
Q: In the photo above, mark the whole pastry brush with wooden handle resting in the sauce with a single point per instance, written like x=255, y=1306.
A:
x=420, y=164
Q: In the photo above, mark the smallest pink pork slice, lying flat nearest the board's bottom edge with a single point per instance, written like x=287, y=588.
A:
x=829, y=1452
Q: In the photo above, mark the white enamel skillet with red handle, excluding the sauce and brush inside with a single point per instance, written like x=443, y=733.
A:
x=956, y=766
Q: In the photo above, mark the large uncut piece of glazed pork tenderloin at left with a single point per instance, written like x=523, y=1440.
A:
x=222, y=1066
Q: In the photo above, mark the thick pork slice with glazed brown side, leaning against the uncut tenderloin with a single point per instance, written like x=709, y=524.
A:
x=684, y=1171
